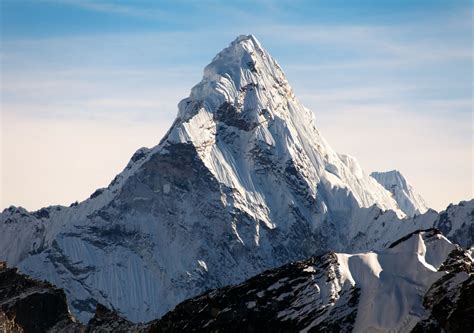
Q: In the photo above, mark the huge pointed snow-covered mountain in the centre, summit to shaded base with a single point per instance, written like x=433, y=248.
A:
x=242, y=182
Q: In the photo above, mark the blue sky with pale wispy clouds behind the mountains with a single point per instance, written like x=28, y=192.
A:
x=390, y=82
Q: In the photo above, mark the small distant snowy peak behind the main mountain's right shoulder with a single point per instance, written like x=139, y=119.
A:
x=407, y=199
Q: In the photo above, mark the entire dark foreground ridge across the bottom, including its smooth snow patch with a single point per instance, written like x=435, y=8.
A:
x=420, y=283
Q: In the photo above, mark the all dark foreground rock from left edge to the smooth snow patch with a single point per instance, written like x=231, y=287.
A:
x=279, y=300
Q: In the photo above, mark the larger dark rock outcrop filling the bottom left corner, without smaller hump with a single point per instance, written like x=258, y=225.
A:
x=28, y=305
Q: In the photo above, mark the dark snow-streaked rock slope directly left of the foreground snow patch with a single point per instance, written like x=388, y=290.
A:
x=280, y=300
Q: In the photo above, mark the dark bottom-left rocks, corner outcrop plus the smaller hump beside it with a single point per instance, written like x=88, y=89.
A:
x=28, y=305
